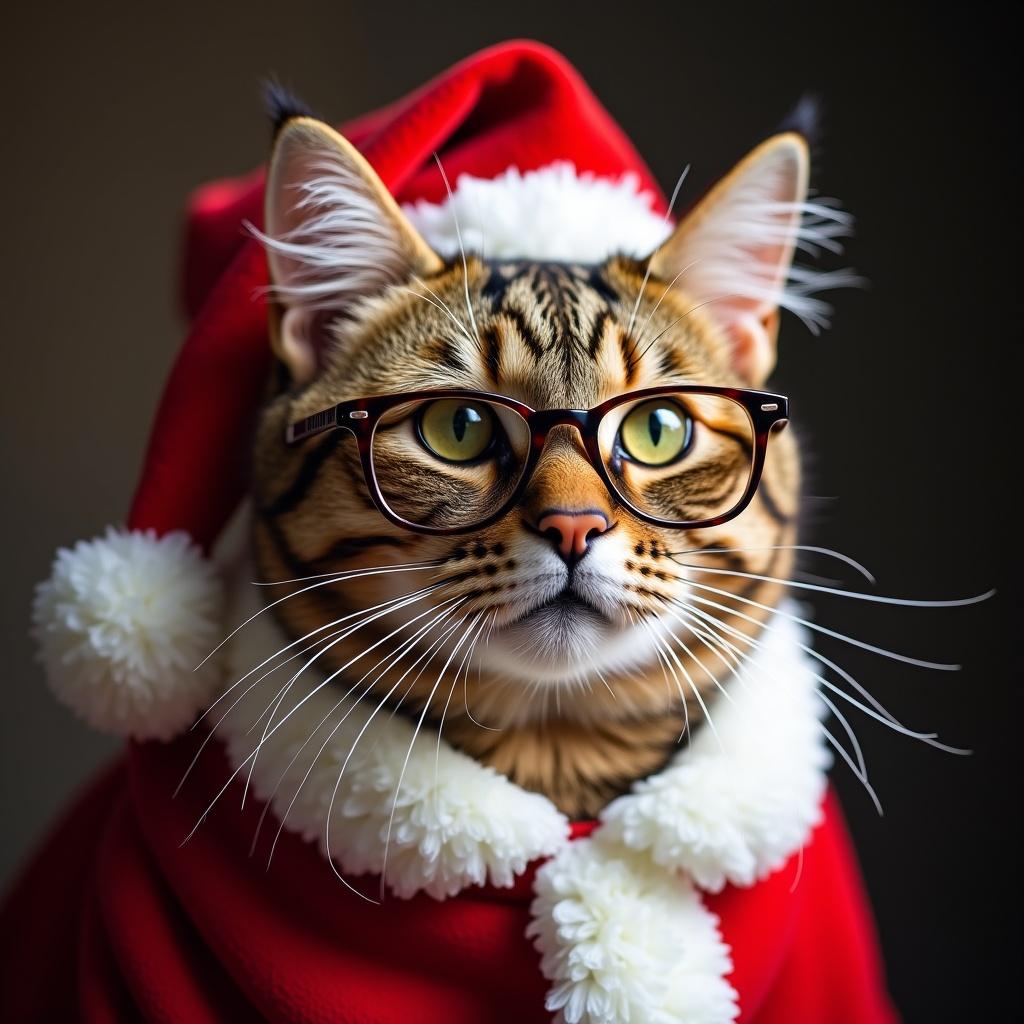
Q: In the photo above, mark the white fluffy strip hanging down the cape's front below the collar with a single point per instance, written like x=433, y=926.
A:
x=624, y=942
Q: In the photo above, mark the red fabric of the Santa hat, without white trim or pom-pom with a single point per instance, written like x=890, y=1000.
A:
x=519, y=104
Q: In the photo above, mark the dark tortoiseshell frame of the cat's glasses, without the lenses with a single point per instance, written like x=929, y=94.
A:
x=362, y=416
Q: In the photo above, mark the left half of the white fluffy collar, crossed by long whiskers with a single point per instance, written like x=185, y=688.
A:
x=457, y=824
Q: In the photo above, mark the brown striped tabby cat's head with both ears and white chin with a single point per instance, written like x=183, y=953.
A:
x=569, y=592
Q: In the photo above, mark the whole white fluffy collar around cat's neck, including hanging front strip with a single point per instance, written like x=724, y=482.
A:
x=618, y=918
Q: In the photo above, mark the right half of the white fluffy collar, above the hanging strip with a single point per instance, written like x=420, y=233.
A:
x=737, y=813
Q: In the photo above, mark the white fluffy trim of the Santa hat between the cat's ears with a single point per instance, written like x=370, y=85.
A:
x=554, y=214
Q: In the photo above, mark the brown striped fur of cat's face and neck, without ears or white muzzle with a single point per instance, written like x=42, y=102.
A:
x=552, y=336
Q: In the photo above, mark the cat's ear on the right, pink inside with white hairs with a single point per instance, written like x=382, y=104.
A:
x=734, y=250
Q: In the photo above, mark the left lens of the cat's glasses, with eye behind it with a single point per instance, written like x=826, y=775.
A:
x=449, y=463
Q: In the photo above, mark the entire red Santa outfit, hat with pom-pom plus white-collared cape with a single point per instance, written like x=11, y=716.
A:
x=723, y=888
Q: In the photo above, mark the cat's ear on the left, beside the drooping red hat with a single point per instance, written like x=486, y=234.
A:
x=334, y=238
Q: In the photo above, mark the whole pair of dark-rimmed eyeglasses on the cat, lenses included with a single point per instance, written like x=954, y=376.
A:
x=448, y=462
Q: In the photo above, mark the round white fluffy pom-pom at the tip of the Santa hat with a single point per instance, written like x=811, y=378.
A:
x=122, y=623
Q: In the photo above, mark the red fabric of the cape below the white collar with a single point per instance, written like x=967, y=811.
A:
x=117, y=921
